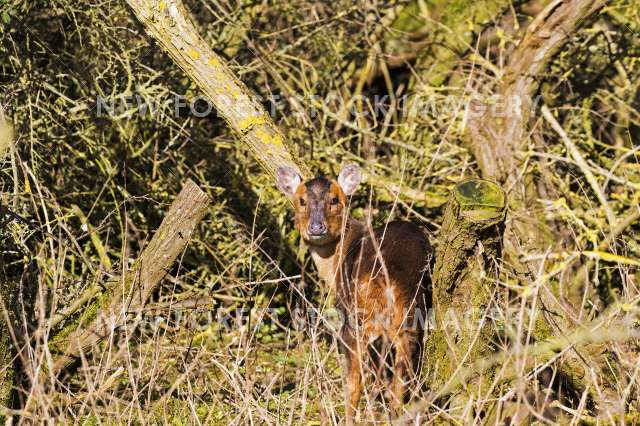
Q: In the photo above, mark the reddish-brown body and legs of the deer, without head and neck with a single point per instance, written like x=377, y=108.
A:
x=382, y=295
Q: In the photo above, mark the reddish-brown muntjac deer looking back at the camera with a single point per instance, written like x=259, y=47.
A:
x=380, y=277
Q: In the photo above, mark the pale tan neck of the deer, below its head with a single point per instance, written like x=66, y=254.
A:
x=329, y=257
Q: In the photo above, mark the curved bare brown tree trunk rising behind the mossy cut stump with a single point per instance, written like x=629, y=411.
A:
x=498, y=139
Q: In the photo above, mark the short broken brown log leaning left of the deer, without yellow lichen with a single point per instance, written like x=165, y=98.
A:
x=128, y=296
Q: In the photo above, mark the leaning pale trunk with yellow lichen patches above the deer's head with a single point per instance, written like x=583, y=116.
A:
x=168, y=22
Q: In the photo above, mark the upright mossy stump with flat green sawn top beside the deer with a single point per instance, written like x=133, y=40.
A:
x=464, y=280
